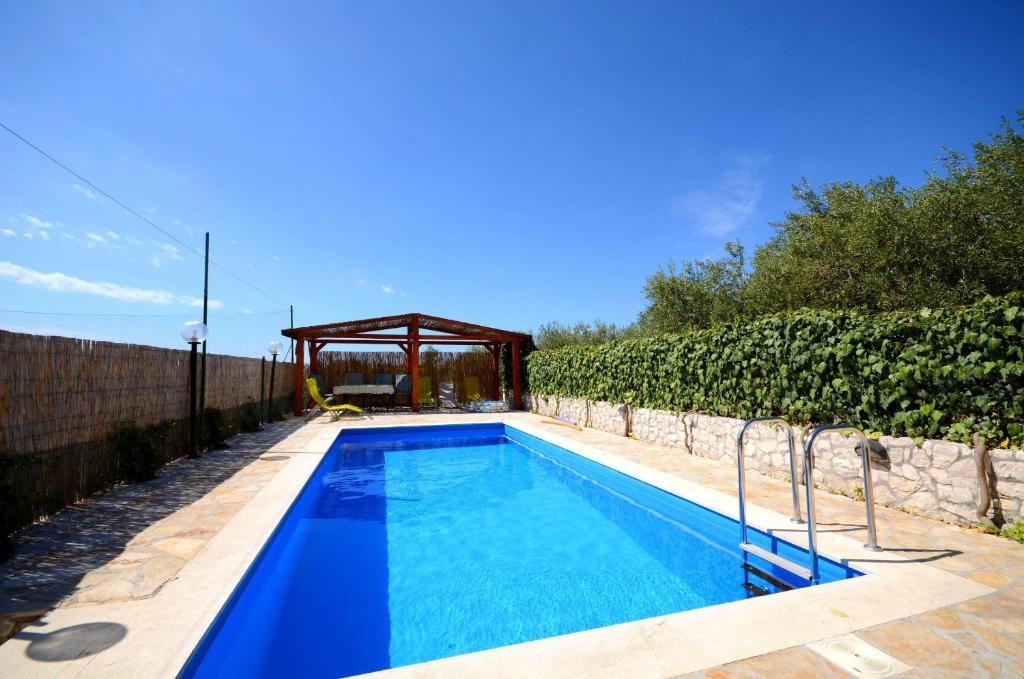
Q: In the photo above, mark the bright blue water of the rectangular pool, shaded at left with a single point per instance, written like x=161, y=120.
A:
x=417, y=543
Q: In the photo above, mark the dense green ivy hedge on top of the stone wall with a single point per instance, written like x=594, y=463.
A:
x=934, y=373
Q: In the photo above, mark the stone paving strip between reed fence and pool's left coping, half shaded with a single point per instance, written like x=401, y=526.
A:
x=127, y=543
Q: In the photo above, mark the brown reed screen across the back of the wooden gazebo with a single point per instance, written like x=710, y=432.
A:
x=440, y=366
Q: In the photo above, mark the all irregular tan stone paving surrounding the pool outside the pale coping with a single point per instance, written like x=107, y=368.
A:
x=127, y=544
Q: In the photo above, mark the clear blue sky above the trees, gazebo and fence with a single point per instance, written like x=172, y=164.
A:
x=508, y=164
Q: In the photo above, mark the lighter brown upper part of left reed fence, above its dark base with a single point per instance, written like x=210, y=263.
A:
x=60, y=392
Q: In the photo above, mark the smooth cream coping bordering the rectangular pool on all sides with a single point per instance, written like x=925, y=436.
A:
x=657, y=647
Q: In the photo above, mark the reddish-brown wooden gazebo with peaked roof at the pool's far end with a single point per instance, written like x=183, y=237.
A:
x=419, y=329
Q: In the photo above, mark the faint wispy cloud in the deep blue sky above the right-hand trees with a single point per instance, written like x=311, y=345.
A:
x=726, y=207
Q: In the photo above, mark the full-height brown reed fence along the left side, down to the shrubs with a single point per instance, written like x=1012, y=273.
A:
x=61, y=399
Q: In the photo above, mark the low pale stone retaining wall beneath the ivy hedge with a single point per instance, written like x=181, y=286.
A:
x=938, y=479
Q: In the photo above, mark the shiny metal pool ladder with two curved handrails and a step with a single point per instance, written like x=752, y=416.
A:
x=812, y=572
